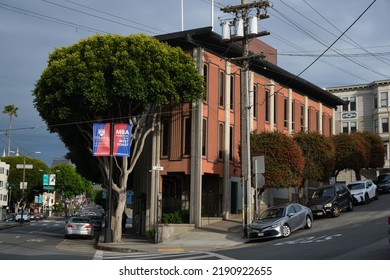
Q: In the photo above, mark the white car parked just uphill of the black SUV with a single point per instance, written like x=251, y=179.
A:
x=363, y=191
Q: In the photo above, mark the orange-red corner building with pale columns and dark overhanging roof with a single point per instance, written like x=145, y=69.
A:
x=197, y=145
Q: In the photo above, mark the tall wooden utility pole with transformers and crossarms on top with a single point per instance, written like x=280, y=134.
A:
x=244, y=36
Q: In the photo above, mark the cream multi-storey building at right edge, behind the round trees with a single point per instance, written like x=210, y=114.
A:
x=367, y=109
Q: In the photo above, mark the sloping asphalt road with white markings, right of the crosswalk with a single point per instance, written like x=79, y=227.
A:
x=358, y=235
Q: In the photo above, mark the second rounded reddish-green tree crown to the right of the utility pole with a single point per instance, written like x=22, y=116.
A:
x=319, y=154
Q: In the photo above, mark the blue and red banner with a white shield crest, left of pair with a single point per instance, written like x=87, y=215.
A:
x=101, y=139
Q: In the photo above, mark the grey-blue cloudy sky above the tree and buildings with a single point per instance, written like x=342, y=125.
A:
x=329, y=43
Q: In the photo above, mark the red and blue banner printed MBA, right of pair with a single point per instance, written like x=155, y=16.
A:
x=122, y=134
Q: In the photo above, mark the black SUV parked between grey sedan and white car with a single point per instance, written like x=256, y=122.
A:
x=330, y=200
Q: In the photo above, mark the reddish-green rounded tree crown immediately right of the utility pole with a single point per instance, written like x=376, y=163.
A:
x=283, y=159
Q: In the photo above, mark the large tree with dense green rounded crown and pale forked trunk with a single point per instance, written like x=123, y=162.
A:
x=112, y=78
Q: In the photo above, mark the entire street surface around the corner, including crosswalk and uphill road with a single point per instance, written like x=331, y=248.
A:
x=357, y=235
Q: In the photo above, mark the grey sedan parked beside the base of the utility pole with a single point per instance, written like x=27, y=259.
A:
x=280, y=221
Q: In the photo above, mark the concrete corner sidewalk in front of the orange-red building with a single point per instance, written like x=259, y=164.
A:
x=220, y=235
